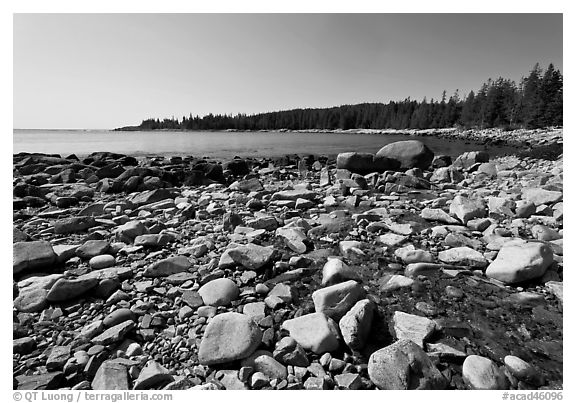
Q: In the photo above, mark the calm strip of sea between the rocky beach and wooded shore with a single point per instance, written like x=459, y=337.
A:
x=222, y=144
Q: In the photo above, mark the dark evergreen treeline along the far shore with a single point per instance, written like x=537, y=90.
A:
x=535, y=102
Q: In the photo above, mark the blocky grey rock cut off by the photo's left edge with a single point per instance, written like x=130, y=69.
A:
x=33, y=255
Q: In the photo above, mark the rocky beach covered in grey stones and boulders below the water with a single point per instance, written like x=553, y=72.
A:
x=398, y=270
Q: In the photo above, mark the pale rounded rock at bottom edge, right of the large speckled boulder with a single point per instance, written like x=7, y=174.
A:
x=482, y=373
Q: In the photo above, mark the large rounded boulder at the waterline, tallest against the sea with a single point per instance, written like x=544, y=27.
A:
x=408, y=154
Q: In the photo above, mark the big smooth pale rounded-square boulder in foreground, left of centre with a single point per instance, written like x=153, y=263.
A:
x=228, y=337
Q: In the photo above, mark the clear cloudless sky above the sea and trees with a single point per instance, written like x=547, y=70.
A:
x=101, y=71
